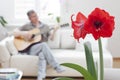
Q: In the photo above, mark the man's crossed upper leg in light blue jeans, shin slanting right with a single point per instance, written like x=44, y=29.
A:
x=43, y=47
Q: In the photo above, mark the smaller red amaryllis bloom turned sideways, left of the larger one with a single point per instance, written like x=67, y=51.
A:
x=78, y=26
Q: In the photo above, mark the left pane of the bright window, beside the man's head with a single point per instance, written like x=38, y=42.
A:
x=22, y=6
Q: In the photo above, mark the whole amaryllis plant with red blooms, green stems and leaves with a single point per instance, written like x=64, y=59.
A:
x=100, y=24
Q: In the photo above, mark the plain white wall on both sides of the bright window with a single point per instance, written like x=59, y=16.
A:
x=69, y=7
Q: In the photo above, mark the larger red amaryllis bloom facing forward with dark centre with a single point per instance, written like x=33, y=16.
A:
x=100, y=24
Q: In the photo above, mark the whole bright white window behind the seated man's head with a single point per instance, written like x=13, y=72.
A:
x=42, y=7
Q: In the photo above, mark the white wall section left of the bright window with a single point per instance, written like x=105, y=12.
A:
x=7, y=10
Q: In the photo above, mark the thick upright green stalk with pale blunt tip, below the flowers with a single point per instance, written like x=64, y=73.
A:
x=89, y=60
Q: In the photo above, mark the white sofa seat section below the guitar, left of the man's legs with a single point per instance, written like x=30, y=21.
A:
x=28, y=64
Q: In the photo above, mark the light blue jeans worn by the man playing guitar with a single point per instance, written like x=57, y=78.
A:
x=45, y=56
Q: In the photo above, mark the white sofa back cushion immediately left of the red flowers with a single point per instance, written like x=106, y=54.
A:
x=67, y=41
